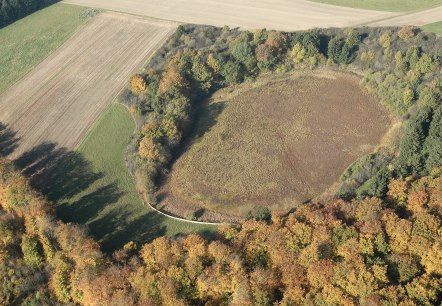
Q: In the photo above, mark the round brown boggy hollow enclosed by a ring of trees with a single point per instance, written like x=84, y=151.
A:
x=275, y=145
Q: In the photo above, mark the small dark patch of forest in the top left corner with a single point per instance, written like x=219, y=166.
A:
x=12, y=10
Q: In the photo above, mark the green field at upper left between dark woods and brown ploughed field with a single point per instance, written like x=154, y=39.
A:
x=25, y=43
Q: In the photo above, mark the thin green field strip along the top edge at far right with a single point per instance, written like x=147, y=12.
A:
x=386, y=5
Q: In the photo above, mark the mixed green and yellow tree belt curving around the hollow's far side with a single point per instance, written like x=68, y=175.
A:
x=400, y=66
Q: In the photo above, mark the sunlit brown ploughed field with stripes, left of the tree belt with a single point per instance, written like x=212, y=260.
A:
x=61, y=98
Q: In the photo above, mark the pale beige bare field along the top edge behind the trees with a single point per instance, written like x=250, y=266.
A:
x=288, y=15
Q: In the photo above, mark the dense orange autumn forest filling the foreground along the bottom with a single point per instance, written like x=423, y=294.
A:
x=361, y=252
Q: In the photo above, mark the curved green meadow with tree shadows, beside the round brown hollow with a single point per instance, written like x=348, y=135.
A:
x=106, y=199
